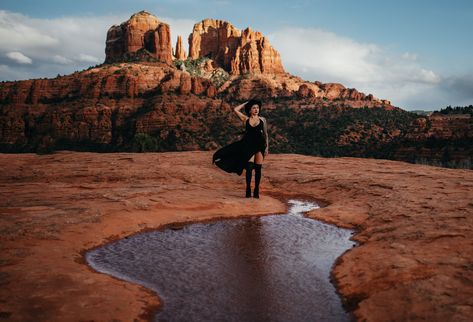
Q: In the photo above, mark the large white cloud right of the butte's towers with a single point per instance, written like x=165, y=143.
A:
x=315, y=54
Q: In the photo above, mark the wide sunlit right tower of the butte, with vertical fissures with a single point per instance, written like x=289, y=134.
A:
x=236, y=52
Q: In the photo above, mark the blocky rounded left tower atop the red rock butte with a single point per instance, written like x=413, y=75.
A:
x=141, y=31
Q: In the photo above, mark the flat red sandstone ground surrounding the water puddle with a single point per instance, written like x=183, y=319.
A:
x=413, y=227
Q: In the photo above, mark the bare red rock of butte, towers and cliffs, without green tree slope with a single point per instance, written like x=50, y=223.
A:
x=151, y=95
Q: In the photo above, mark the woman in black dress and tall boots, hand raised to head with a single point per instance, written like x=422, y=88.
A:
x=250, y=151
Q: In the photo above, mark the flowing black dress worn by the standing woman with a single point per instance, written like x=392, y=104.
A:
x=235, y=156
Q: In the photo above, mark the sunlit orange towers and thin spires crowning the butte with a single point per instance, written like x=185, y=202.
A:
x=236, y=52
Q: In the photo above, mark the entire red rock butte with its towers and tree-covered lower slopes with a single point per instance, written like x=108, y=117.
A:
x=149, y=97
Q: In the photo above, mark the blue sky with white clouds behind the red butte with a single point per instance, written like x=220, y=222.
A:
x=417, y=53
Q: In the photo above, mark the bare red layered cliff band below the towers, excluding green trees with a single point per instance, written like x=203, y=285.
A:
x=110, y=104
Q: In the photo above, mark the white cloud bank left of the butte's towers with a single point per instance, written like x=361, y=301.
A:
x=57, y=46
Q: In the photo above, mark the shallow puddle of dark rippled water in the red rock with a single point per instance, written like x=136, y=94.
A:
x=269, y=268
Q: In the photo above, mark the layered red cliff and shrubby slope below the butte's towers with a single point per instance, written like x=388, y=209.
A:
x=107, y=108
